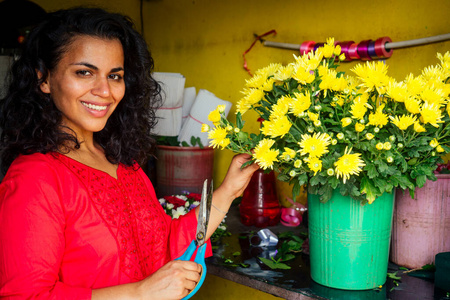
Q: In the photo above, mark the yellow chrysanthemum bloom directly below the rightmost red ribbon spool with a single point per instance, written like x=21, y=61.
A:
x=373, y=75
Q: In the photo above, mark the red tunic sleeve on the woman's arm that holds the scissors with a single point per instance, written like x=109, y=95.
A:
x=32, y=234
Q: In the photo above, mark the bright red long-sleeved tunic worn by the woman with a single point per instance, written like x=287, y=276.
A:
x=66, y=228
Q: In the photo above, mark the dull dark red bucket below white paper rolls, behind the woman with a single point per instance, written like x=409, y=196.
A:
x=182, y=169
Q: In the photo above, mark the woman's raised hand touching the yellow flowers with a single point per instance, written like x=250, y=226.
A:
x=237, y=178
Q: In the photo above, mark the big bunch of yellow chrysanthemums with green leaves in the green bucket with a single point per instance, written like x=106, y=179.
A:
x=363, y=135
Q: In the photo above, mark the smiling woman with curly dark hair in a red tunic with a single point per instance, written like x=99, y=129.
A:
x=78, y=217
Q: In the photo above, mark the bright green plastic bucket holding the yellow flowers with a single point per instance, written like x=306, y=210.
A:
x=349, y=242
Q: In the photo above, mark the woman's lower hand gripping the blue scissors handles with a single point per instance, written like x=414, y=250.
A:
x=172, y=281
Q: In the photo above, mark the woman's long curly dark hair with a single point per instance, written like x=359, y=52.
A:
x=31, y=122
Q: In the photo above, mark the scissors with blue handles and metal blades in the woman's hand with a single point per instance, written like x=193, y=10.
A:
x=199, y=241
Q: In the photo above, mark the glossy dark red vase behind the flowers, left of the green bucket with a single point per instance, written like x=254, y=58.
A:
x=259, y=206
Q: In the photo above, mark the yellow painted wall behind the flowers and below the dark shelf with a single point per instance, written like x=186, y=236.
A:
x=204, y=41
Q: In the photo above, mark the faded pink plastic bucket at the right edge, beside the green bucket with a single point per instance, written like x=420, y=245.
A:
x=421, y=226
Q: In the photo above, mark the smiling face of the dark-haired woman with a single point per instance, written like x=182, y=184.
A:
x=87, y=84
